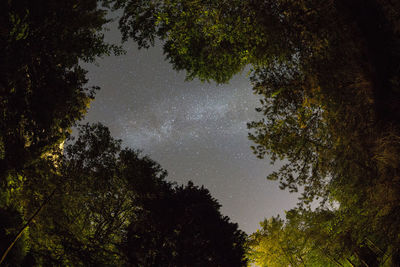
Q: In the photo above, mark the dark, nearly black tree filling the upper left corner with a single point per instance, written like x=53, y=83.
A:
x=43, y=89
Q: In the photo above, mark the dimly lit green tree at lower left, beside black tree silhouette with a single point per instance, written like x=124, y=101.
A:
x=86, y=220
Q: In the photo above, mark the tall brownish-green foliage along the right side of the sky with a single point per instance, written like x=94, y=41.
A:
x=324, y=115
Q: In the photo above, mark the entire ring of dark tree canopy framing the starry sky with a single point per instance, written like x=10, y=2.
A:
x=328, y=76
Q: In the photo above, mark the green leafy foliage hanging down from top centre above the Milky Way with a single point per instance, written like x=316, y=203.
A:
x=208, y=39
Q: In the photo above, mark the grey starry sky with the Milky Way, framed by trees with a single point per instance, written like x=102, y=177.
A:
x=196, y=131
